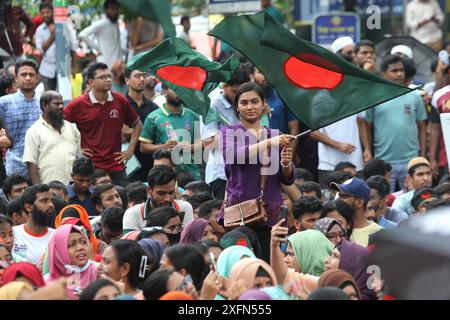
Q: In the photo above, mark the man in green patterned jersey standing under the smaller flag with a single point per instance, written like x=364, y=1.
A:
x=156, y=130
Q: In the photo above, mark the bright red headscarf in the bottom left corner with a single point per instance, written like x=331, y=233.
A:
x=24, y=272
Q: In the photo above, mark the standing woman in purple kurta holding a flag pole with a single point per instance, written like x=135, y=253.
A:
x=242, y=147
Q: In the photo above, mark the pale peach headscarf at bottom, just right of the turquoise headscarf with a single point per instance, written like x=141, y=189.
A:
x=247, y=268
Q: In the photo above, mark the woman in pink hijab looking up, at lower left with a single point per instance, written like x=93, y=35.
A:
x=68, y=256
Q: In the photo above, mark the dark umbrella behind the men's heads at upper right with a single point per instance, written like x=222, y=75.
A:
x=422, y=55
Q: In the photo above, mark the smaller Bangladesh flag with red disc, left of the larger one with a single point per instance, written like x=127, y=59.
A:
x=191, y=75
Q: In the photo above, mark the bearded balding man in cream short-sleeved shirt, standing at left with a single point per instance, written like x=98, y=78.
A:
x=50, y=138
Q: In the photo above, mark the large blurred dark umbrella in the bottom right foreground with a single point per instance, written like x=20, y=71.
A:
x=415, y=259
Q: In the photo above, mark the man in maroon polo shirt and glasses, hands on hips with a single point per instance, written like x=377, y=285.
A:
x=99, y=115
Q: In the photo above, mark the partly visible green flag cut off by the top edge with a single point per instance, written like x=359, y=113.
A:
x=154, y=10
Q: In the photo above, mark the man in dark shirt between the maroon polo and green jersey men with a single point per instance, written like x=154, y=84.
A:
x=135, y=81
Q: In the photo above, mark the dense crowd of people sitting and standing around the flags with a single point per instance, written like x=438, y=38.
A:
x=76, y=224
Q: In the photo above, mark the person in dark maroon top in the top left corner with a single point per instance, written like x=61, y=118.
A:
x=10, y=18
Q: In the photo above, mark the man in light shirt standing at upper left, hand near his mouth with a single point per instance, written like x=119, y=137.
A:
x=45, y=43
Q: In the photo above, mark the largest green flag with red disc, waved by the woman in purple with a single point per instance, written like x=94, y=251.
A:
x=318, y=86
